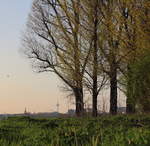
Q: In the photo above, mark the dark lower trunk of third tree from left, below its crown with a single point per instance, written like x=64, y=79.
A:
x=113, y=88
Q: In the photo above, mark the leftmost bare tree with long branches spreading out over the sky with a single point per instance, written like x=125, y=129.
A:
x=55, y=41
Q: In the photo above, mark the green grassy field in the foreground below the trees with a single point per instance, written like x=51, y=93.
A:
x=118, y=130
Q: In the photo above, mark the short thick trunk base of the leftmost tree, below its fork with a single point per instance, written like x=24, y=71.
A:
x=78, y=92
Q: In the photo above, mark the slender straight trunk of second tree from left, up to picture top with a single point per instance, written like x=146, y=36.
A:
x=95, y=62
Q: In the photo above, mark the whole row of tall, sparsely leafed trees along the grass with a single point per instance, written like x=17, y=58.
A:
x=90, y=44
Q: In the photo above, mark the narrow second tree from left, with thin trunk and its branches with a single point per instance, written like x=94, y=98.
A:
x=94, y=78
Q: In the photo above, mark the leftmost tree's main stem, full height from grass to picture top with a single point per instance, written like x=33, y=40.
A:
x=78, y=91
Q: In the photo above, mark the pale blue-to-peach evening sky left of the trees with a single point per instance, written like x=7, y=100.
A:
x=20, y=87
